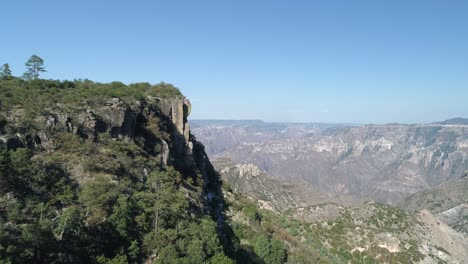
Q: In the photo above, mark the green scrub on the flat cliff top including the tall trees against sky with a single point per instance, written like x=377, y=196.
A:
x=35, y=96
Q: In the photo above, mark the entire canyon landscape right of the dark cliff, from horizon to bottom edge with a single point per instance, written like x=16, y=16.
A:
x=415, y=212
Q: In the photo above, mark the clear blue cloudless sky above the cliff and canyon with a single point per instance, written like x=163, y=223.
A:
x=320, y=61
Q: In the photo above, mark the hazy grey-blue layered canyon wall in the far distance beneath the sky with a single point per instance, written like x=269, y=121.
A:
x=386, y=163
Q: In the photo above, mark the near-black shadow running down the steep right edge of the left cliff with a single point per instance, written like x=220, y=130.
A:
x=190, y=159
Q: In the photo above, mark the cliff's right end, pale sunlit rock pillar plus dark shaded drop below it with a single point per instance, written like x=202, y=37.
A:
x=163, y=131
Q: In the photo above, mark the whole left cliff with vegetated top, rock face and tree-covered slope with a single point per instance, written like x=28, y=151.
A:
x=105, y=173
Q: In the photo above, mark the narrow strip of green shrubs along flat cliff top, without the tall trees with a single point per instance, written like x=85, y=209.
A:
x=39, y=94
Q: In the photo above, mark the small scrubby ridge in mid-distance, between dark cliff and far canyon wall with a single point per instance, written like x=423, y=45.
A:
x=284, y=197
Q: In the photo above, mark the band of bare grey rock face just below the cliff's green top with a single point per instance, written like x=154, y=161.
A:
x=115, y=118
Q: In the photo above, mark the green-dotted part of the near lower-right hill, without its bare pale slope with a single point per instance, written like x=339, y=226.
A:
x=352, y=237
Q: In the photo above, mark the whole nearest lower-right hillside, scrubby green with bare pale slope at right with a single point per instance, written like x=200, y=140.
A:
x=372, y=233
